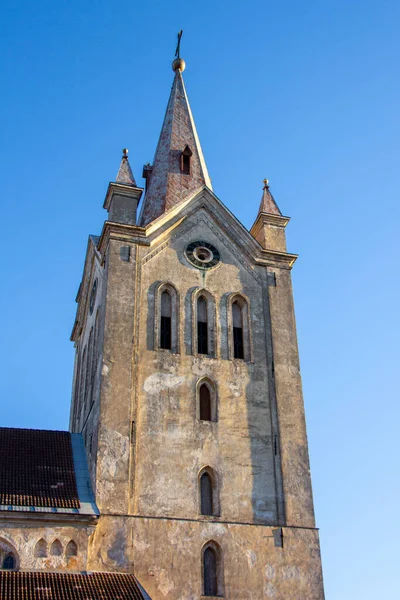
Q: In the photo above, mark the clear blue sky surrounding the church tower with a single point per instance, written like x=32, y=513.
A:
x=305, y=93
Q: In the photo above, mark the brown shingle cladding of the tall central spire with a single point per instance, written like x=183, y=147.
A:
x=167, y=183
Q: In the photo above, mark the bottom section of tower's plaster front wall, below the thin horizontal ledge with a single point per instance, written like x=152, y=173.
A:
x=166, y=557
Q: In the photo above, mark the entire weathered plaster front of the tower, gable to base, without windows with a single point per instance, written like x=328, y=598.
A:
x=152, y=445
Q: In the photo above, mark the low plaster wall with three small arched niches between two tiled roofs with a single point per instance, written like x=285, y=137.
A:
x=24, y=537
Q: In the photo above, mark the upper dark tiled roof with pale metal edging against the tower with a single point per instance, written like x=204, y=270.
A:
x=37, y=468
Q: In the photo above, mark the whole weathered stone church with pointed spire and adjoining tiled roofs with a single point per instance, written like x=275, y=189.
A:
x=185, y=471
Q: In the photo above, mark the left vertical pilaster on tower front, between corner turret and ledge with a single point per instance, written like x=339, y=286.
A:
x=112, y=491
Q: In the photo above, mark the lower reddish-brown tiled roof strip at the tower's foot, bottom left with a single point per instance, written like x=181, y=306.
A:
x=20, y=585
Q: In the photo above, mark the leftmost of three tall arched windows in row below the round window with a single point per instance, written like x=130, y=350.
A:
x=166, y=318
